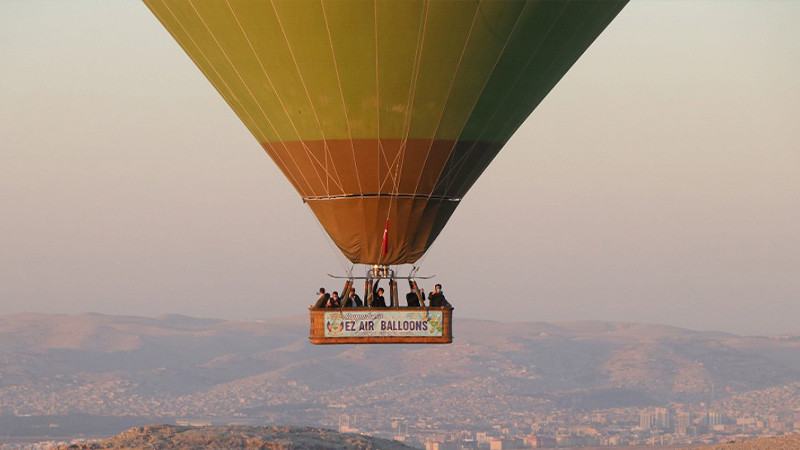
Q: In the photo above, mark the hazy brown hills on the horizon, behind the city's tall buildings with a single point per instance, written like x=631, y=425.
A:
x=181, y=366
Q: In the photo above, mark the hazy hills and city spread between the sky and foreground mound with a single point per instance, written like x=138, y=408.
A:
x=593, y=382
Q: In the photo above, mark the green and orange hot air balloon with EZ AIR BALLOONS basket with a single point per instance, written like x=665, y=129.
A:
x=383, y=113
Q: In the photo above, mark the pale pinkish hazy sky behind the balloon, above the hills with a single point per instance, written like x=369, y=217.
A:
x=659, y=182
